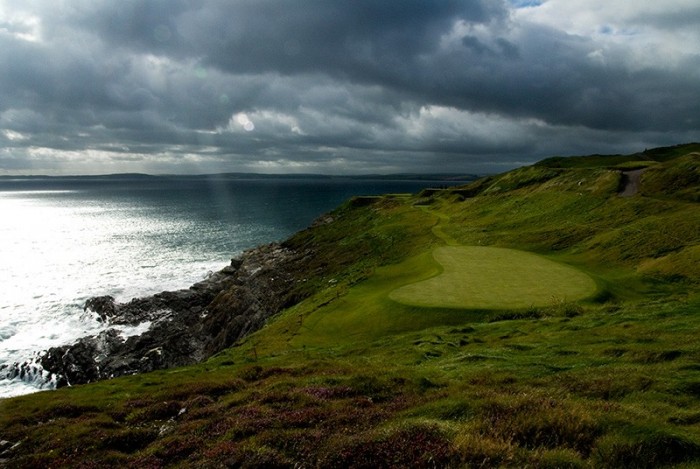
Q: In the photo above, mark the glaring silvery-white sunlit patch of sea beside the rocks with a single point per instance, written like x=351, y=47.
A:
x=57, y=253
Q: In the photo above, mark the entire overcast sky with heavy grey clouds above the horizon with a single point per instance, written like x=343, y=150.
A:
x=339, y=86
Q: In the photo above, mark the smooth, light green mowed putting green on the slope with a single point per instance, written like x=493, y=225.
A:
x=476, y=277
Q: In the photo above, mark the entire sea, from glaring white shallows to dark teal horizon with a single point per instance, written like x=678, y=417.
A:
x=65, y=240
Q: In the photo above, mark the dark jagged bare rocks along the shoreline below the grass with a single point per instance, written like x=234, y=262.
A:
x=187, y=325
